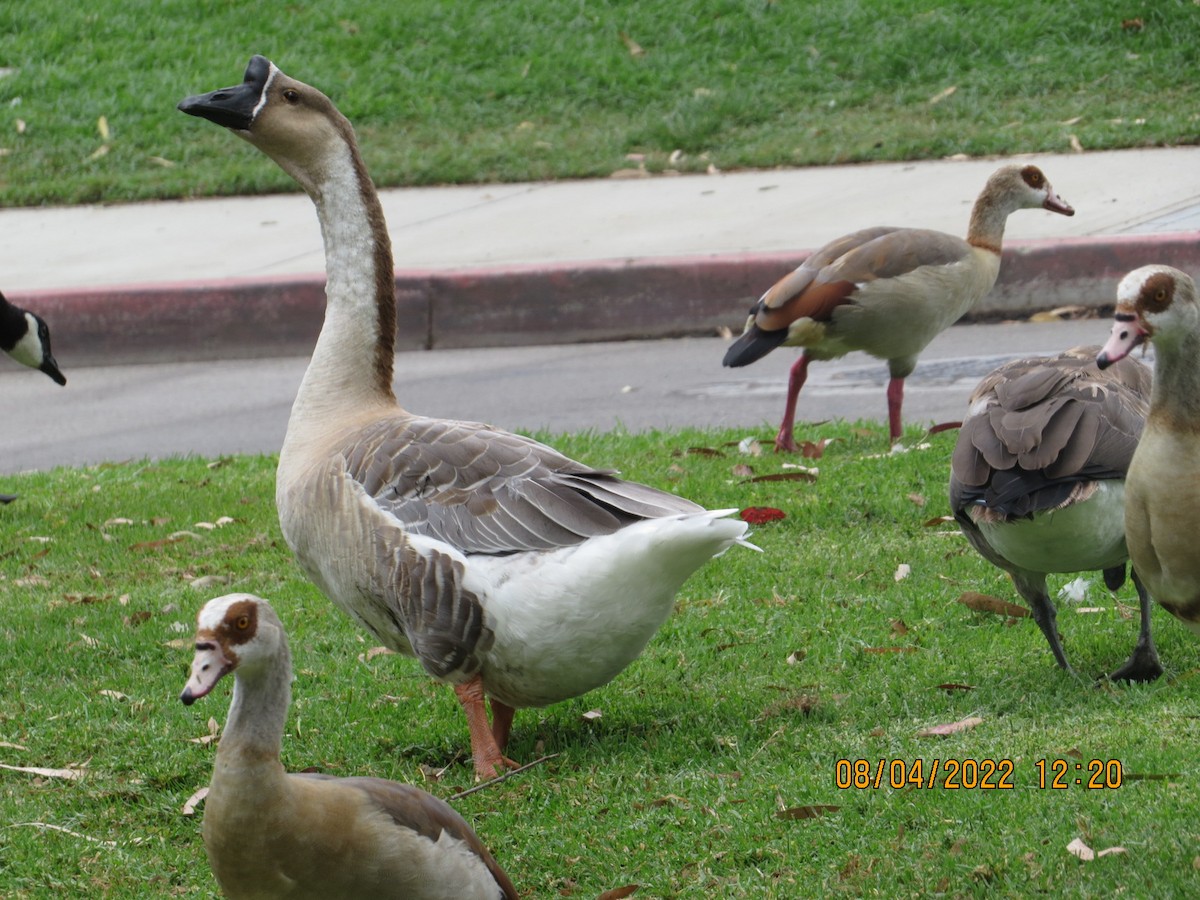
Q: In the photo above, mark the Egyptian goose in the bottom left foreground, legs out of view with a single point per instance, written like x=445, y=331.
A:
x=273, y=835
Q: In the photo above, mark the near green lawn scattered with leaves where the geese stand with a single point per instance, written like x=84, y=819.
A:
x=713, y=767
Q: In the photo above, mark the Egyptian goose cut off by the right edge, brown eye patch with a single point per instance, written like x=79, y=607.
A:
x=1159, y=304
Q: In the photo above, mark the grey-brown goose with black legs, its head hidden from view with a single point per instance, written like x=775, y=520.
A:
x=1037, y=479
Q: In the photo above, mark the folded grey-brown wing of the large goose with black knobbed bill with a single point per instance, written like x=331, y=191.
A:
x=489, y=491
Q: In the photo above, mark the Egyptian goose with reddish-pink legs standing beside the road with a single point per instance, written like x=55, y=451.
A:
x=887, y=291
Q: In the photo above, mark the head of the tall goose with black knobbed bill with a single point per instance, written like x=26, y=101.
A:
x=291, y=122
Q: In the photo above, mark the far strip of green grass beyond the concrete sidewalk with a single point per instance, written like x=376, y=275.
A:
x=476, y=92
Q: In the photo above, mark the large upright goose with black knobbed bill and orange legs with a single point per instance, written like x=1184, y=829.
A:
x=506, y=568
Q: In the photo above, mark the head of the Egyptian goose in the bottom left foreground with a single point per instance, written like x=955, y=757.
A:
x=236, y=632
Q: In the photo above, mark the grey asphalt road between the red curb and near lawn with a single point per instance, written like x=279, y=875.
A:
x=118, y=413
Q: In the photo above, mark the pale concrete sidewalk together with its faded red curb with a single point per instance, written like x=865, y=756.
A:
x=562, y=262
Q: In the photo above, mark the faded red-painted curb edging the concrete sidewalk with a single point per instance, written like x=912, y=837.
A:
x=557, y=303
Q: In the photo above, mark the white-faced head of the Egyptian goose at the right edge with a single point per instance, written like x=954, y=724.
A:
x=1154, y=303
